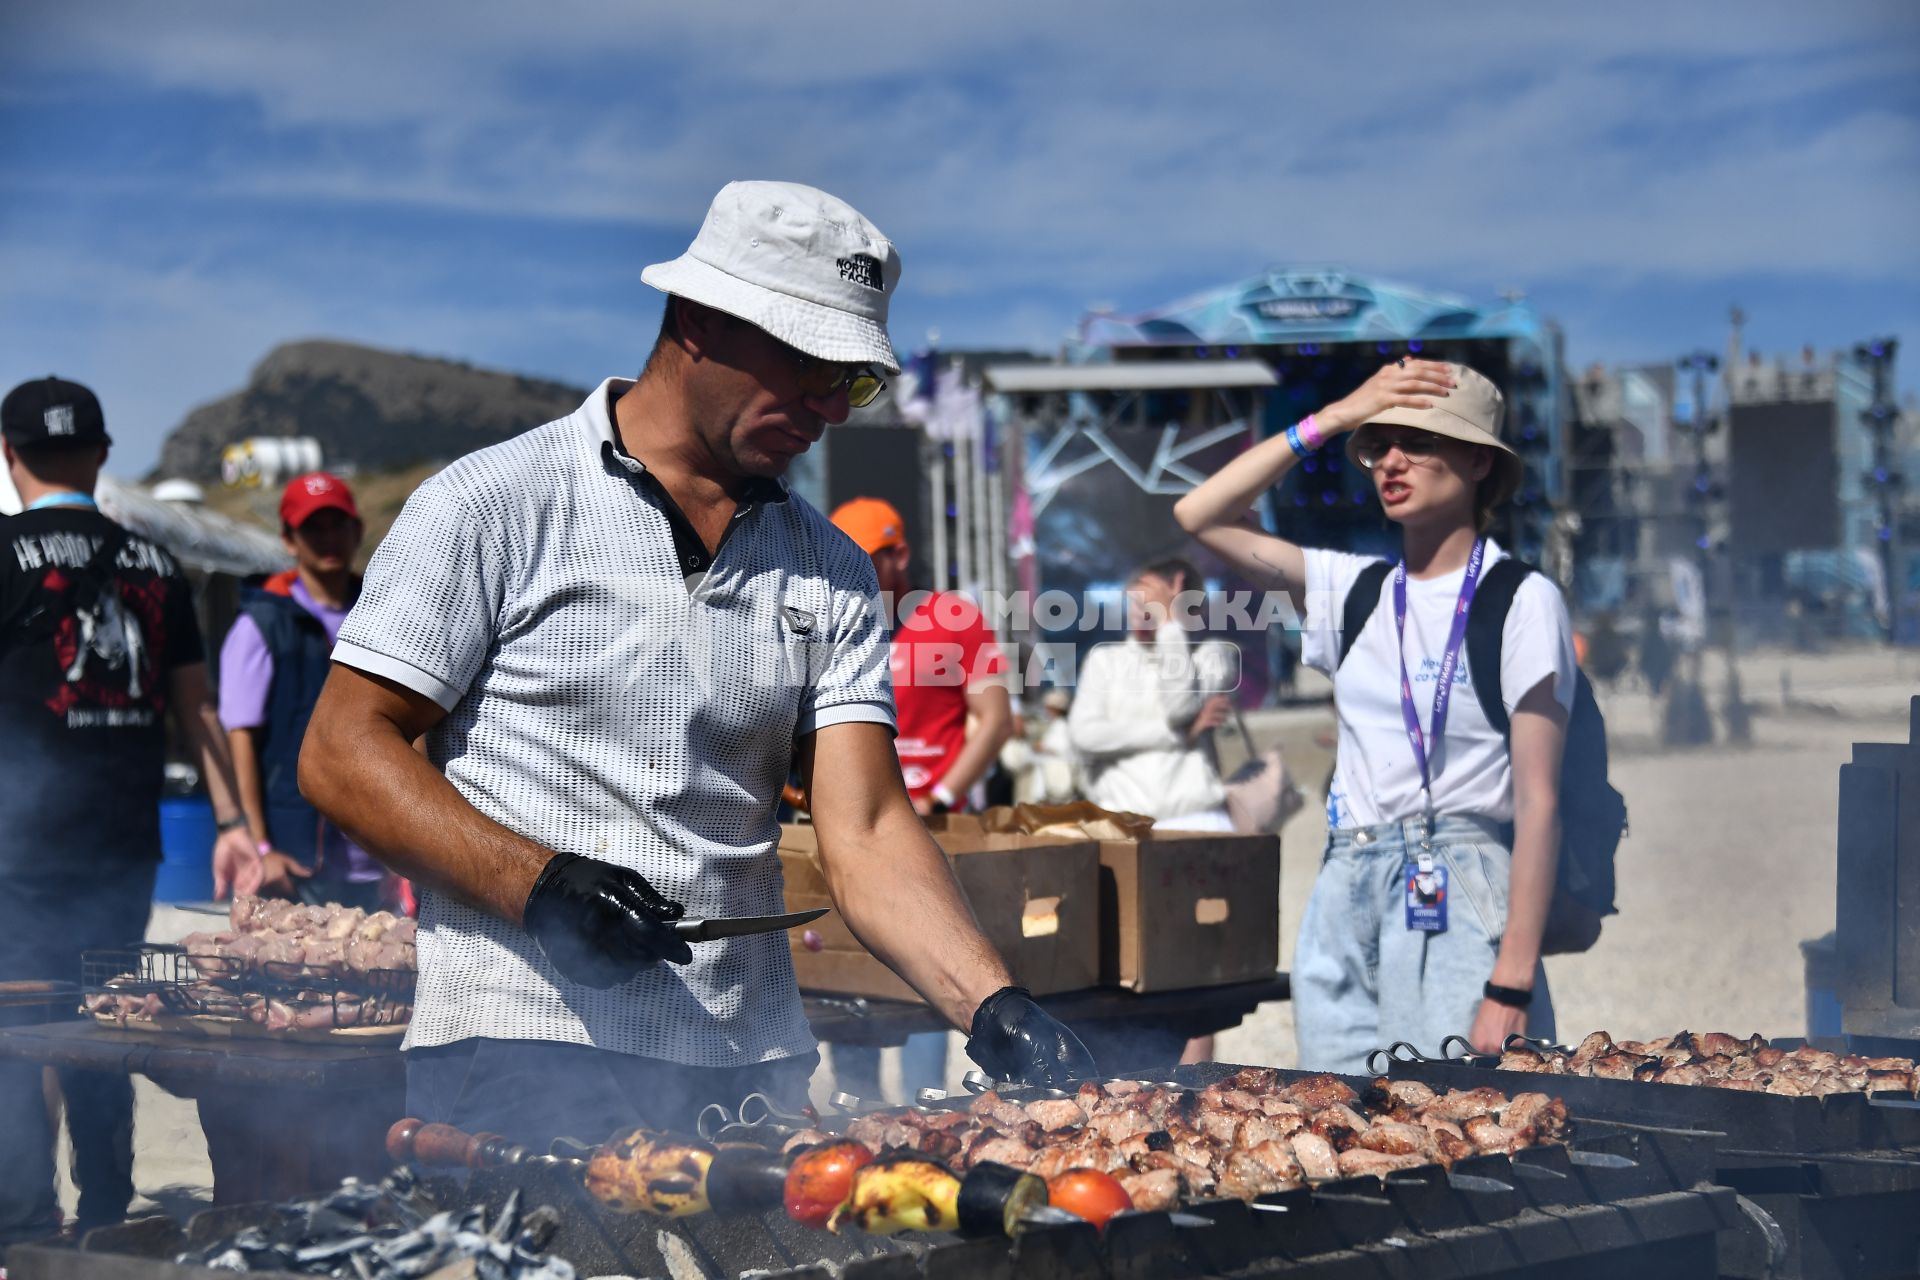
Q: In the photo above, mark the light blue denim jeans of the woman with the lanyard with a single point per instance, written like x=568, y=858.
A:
x=1362, y=980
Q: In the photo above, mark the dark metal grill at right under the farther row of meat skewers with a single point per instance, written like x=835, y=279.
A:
x=1833, y=1183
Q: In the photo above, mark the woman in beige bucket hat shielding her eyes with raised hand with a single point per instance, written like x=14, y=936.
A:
x=1429, y=909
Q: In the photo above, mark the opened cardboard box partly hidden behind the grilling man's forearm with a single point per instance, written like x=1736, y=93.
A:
x=1036, y=899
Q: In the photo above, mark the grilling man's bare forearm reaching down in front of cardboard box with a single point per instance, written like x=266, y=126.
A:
x=900, y=897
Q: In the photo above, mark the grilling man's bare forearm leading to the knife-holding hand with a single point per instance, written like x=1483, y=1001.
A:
x=370, y=780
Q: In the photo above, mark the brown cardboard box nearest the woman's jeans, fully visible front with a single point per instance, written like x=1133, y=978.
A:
x=1189, y=911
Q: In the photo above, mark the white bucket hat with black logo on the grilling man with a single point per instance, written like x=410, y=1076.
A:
x=798, y=264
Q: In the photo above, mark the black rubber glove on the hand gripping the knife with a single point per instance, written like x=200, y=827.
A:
x=602, y=924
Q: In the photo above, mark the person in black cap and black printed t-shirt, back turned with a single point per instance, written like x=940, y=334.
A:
x=99, y=644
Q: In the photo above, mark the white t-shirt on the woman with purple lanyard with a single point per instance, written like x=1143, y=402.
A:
x=1376, y=774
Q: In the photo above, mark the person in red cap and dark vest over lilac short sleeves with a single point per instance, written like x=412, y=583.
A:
x=274, y=665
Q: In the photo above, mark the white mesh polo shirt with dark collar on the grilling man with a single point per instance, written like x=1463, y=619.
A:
x=606, y=701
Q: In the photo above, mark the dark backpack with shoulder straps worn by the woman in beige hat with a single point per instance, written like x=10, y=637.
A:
x=1593, y=813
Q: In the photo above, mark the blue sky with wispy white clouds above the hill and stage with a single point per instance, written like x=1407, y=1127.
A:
x=187, y=185
